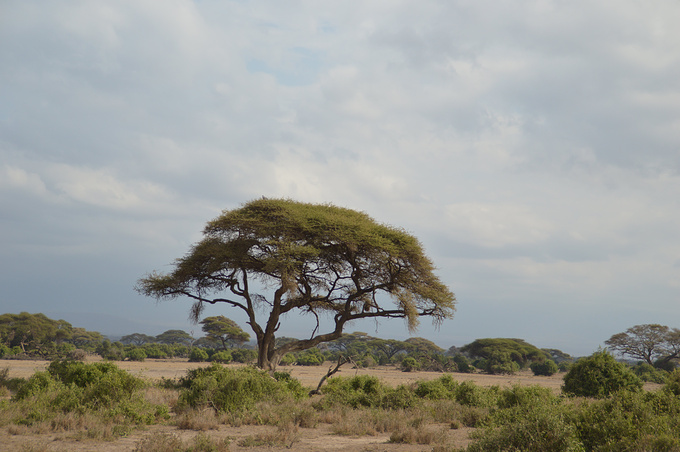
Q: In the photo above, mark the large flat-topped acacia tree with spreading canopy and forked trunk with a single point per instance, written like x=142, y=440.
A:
x=313, y=259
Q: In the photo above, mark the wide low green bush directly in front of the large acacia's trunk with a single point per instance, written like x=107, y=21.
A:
x=227, y=389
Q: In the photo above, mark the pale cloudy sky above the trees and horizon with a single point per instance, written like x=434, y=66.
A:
x=532, y=146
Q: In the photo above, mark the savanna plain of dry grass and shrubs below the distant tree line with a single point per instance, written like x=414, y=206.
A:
x=160, y=405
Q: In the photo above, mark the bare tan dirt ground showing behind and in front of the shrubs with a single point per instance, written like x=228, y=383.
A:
x=316, y=439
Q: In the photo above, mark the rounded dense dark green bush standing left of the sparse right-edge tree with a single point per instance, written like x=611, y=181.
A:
x=599, y=375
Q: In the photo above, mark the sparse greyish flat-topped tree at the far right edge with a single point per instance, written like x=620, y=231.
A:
x=649, y=342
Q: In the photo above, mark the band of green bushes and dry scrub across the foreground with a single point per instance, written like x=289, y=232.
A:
x=100, y=401
